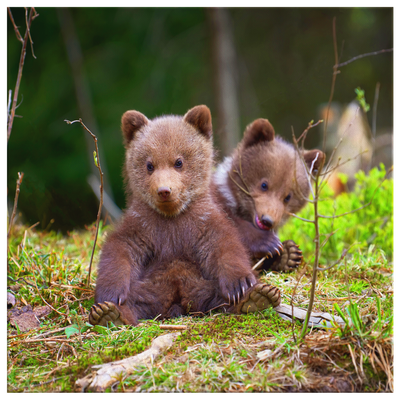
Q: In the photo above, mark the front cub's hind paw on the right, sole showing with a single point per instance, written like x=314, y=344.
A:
x=260, y=297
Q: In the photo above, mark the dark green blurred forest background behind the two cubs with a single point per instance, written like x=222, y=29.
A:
x=163, y=61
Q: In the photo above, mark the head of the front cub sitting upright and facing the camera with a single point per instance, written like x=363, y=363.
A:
x=168, y=159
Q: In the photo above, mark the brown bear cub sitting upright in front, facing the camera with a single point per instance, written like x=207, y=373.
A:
x=174, y=250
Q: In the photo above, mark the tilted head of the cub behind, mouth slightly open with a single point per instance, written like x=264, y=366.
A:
x=273, y=175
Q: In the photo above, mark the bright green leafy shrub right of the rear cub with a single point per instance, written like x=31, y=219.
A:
x=374, y=224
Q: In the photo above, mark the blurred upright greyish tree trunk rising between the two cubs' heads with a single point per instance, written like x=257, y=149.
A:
x=227, y=127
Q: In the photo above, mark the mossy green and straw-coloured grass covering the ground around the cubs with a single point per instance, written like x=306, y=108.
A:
x=217, y=353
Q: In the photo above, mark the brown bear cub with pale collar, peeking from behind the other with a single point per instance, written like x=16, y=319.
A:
x=259, y=185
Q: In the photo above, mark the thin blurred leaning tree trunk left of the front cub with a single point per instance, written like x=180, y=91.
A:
x=84, y=101
